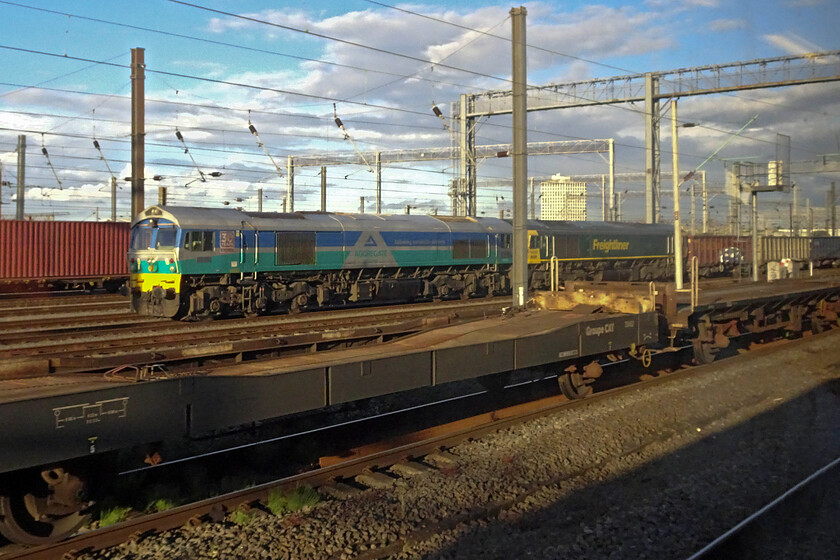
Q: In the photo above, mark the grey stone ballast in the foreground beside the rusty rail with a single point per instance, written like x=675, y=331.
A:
x=654, y=473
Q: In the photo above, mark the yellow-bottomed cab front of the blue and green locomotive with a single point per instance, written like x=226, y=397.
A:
x=155, y=281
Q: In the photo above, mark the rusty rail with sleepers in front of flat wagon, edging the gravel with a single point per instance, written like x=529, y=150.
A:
x=377, y=464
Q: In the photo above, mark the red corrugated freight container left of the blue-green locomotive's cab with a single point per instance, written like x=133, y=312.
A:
x=49, y=251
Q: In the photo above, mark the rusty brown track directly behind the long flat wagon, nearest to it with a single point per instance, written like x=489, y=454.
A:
x=172, y=342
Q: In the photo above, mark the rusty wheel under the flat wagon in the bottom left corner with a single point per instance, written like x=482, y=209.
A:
x=44, y=517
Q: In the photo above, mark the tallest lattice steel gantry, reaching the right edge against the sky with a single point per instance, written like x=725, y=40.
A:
x=650, y=87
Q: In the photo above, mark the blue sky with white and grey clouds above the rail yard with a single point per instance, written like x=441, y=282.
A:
x=289, y=68
